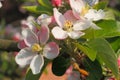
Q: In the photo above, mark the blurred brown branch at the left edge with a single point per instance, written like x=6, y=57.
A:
x=8, y=45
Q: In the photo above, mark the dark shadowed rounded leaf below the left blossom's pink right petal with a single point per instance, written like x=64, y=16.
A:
x=60, y=65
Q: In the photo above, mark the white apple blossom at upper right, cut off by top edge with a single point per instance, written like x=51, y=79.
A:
x=80, y=11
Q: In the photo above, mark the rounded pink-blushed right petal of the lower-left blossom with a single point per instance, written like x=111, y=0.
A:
x=51, y=50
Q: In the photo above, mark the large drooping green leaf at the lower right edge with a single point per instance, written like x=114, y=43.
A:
x=105, y=53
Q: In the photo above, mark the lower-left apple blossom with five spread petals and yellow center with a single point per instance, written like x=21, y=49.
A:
x=36, y=49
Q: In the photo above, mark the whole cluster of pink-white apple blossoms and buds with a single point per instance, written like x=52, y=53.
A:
x=37, y=43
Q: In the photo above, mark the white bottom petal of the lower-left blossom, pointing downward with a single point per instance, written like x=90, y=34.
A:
x=37, y=64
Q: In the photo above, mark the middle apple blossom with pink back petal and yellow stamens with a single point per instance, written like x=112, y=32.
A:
x=68, y=25
